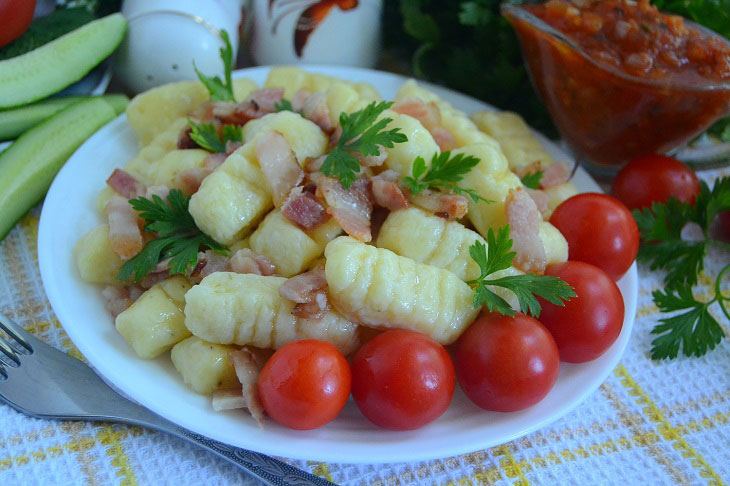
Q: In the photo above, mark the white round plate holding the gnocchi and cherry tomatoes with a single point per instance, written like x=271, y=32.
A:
x=70, y=211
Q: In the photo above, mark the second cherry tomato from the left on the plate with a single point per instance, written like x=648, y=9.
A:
x=402, y=380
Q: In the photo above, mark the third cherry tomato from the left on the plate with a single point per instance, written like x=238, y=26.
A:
x=506, y=363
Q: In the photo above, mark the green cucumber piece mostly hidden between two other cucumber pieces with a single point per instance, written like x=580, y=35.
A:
x=15, y=121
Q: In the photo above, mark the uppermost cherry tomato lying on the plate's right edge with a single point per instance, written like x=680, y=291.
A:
x=599, y=230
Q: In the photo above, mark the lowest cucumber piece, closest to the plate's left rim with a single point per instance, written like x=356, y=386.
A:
x=29, y=165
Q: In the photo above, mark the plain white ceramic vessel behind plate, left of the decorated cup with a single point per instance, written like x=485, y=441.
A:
x=166, y=36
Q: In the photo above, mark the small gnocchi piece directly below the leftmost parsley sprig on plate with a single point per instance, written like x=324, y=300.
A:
x=155, y=322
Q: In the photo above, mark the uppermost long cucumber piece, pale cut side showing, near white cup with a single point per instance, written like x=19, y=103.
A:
x=50, y=68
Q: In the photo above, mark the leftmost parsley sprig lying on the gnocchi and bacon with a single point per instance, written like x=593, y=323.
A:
x=178, y=238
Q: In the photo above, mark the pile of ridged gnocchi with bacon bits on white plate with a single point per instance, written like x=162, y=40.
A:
x=289, y=273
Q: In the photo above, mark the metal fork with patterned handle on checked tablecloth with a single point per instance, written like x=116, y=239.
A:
x=43, y=382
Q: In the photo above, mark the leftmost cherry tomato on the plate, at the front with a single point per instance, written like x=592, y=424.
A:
x=305, y=384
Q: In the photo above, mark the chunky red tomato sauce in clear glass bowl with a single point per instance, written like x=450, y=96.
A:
x=620, y=78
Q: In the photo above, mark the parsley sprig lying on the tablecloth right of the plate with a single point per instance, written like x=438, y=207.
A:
x=694, y=331
